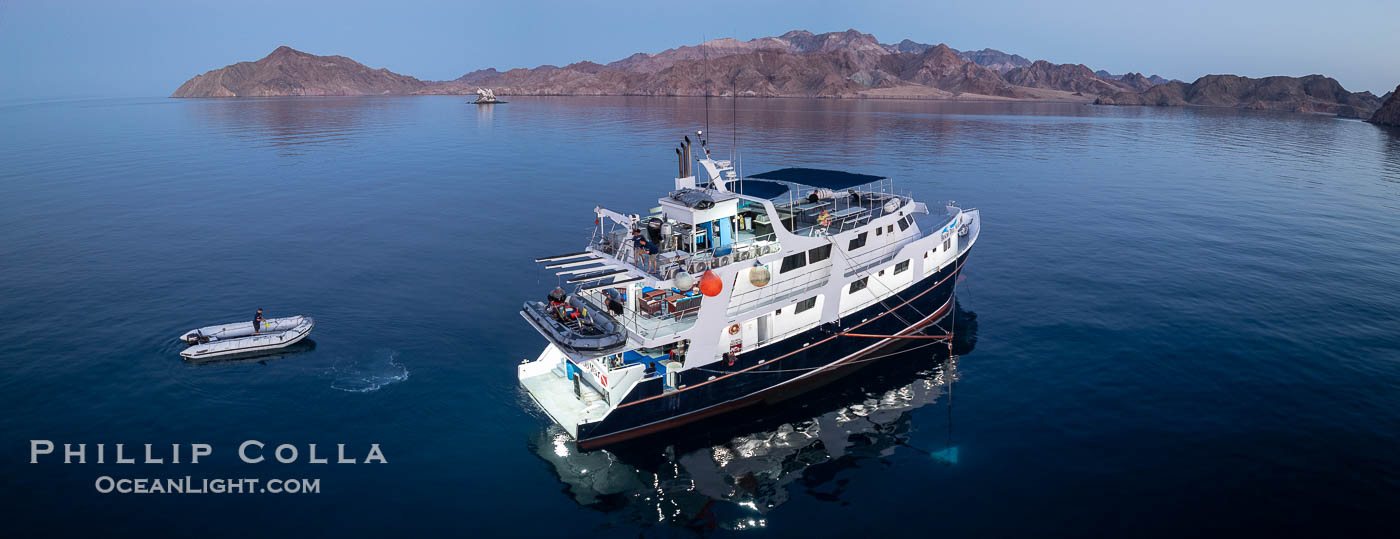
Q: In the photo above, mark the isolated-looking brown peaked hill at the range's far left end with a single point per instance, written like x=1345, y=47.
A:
x=288, y=72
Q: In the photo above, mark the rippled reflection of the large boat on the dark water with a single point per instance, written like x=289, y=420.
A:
x=731, y=478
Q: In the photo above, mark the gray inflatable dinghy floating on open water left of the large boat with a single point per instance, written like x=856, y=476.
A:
x=237, y=338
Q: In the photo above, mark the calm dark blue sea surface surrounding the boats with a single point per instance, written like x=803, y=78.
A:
x=1177, y=321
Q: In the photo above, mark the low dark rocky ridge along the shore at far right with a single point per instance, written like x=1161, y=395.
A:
x=1296, y=94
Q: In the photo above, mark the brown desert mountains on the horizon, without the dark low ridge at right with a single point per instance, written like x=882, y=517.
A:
x=799, y=64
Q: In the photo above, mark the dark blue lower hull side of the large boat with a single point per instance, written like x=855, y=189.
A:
x=779, y=370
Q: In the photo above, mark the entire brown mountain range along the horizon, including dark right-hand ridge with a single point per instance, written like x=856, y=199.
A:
x=799, y=64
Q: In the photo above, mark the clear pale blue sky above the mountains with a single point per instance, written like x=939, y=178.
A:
x=62, y=48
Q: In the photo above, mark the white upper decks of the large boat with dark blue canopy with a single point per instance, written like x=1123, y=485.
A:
x=716, y=220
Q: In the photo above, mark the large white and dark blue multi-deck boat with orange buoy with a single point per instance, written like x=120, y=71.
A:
x=762, y=288
